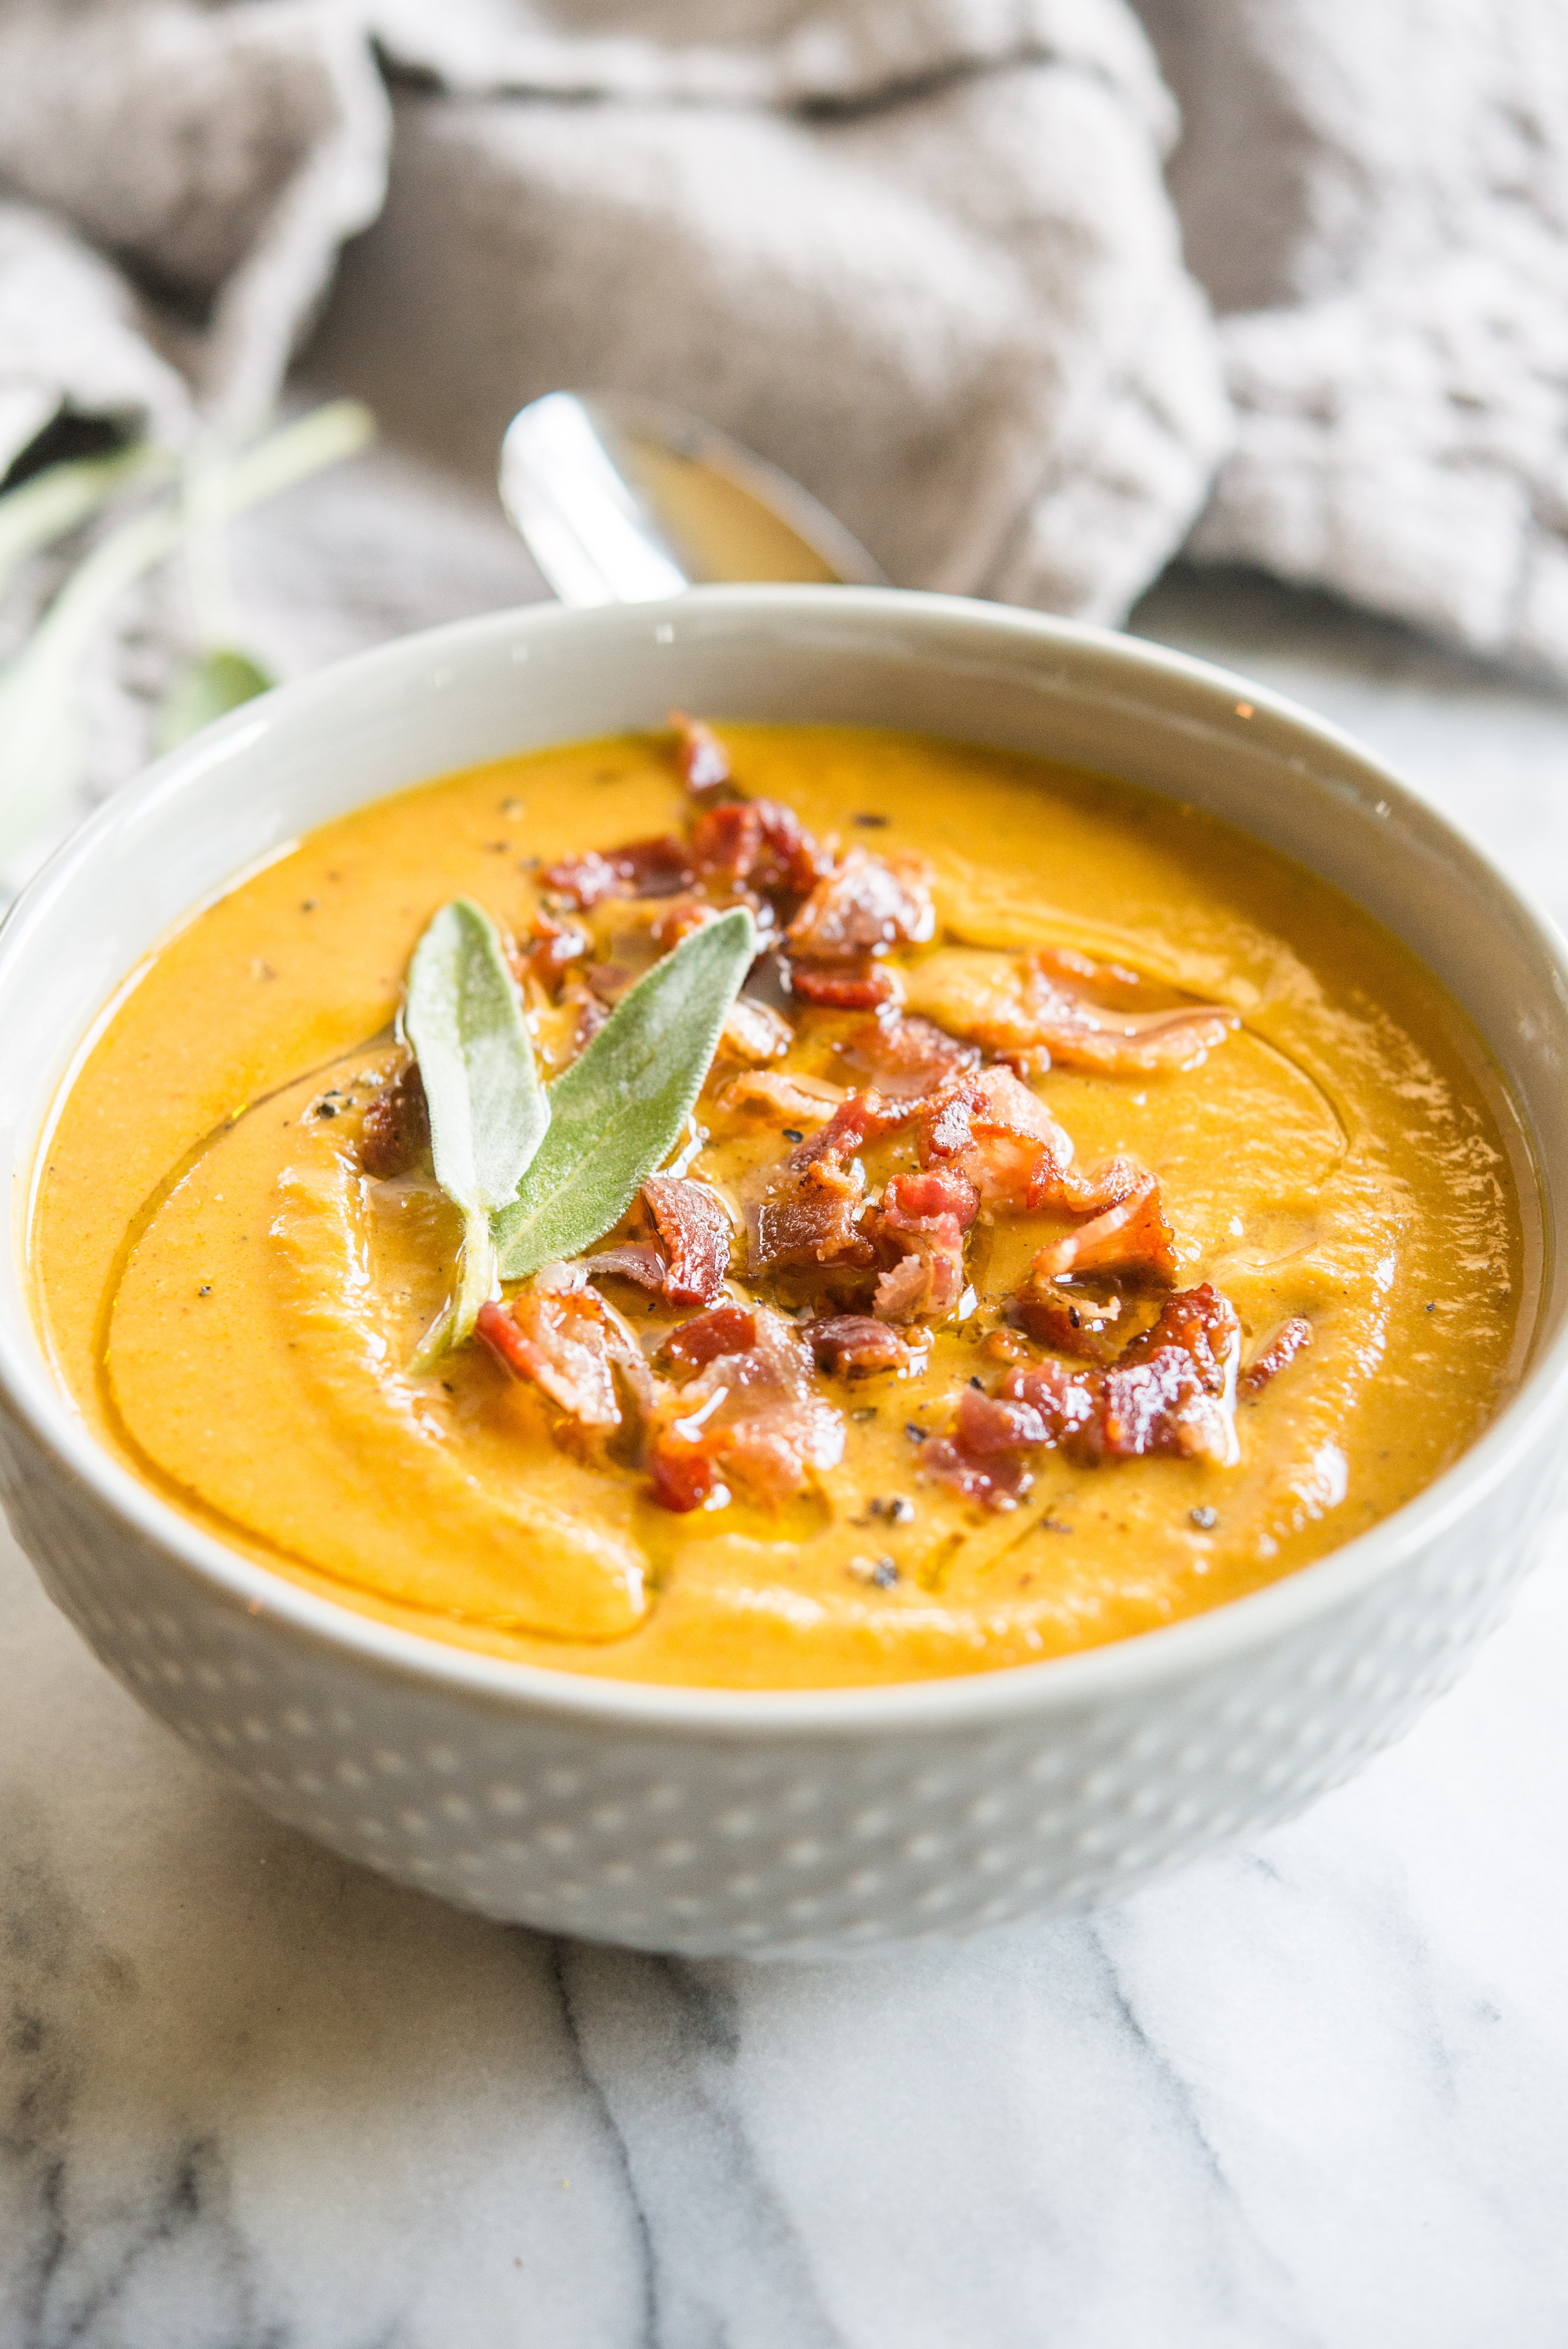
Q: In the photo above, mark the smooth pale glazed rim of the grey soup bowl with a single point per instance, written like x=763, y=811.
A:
x=952, y=1704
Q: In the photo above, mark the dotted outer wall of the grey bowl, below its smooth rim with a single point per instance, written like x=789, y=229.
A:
x=778, y=1845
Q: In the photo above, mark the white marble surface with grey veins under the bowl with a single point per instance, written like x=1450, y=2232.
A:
x=1311, y=2094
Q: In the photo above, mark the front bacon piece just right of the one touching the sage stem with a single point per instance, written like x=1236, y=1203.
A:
x=750, y=1418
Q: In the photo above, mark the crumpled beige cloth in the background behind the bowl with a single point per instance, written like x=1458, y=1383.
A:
x=926, y=255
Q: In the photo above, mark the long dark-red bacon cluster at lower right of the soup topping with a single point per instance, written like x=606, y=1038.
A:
x=1168, y=1394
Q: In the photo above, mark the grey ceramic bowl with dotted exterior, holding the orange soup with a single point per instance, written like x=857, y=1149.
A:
x=776, y=1824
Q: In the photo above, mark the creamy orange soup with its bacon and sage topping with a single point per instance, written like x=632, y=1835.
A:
x=788, y=1209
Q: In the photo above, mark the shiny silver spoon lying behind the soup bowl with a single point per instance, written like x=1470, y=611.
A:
x=623, y=502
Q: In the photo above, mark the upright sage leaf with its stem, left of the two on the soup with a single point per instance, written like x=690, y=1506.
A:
x=487, y=1108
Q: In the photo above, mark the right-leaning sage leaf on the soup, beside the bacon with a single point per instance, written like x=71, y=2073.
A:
x=616, y=1115
